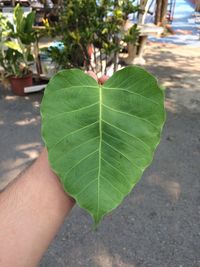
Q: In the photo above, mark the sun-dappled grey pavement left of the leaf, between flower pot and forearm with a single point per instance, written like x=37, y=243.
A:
x=20, y=133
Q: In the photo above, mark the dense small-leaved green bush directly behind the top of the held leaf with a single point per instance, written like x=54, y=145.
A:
x=85, y=22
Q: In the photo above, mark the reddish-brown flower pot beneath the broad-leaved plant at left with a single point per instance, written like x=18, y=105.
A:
x=18, y=84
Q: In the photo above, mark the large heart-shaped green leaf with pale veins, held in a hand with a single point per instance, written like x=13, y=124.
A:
x=100, y=138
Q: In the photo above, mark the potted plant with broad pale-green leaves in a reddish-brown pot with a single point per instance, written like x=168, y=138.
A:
x=16, y=47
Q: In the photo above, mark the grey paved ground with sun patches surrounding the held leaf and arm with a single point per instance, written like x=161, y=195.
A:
x=158, y=223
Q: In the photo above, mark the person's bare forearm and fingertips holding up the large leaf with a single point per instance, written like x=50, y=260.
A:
x=32, y=209
